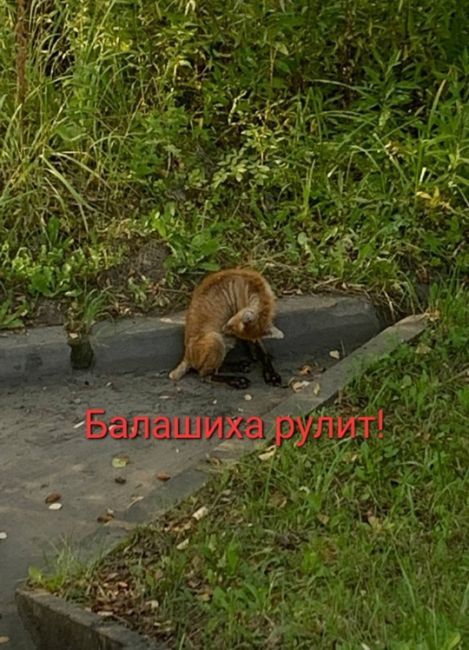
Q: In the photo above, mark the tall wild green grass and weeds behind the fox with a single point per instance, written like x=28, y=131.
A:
x=323, y=143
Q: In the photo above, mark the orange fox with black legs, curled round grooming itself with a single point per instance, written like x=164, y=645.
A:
x=228, y=305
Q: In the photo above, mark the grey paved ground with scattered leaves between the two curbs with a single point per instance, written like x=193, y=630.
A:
x=44, y=450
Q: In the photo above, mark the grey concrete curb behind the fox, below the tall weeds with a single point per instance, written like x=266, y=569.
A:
x=150, y=343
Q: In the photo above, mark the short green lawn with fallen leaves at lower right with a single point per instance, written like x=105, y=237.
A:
x=346, y=544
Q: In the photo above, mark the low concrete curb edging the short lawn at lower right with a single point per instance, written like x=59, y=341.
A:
x=54, y=623
